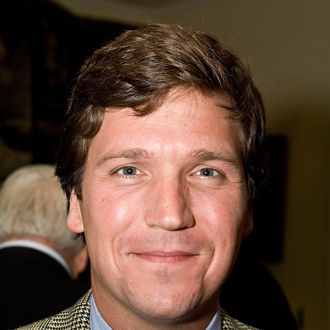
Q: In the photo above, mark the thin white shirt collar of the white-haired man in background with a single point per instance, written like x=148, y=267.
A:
x=36, y=246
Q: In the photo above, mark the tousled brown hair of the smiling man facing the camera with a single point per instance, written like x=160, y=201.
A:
x=137, y=70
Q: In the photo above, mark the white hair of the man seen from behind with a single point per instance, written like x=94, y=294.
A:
x=32, y=203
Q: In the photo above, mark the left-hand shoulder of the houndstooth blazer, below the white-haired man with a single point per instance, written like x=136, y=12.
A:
x=75, y=317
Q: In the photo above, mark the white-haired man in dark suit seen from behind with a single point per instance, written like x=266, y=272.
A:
x=39, y=256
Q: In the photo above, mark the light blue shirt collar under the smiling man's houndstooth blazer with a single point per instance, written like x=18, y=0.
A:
x=98, y=323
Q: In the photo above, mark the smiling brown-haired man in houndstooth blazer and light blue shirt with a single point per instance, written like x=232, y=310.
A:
x=159, y=158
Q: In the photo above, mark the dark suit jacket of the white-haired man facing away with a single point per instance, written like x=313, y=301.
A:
x=33, y=286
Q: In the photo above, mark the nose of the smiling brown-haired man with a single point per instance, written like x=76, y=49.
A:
x=169, y=206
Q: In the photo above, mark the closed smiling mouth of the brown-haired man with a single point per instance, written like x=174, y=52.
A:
x=165, y=257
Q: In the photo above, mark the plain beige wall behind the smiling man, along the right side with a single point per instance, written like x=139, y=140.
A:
x=287, y=45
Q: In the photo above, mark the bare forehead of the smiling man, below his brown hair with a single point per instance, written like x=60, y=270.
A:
x=186, y=118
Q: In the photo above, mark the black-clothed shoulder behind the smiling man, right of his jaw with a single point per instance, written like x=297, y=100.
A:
x=253, y=295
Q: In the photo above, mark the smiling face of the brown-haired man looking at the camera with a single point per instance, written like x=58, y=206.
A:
x=164, y=208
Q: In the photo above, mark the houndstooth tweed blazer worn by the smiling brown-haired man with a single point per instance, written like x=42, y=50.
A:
x=77, y=318
